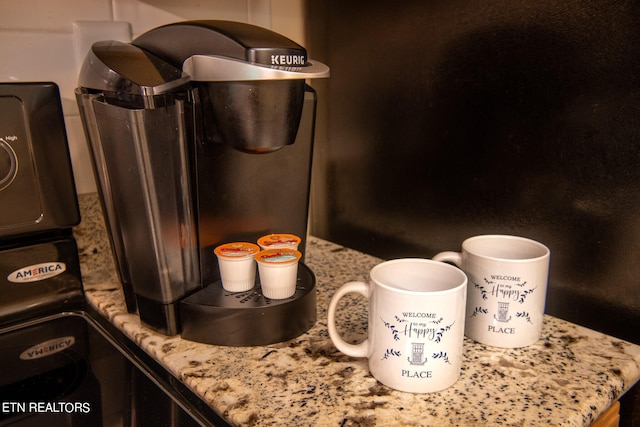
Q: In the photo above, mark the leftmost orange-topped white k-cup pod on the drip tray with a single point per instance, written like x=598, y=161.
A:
x=237, y=265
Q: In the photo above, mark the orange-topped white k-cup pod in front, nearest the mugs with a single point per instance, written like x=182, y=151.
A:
x=278, y=270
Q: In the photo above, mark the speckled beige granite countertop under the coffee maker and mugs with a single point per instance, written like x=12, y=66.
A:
x=567, y=378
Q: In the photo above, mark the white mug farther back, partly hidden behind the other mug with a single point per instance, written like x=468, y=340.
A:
x=507, y=288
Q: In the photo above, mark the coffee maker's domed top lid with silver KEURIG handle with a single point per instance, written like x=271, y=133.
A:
x=210, y=50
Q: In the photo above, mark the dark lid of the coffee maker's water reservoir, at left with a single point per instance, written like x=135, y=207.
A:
x=120, y=67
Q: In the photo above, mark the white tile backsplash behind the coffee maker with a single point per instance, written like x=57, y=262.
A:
x=46, y=40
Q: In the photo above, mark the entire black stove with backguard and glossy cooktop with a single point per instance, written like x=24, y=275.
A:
x=62, y=363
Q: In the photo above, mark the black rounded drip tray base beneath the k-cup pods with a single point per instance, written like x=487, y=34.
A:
x=216, y=316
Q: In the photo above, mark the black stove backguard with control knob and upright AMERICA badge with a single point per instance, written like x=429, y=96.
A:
x=38, y=253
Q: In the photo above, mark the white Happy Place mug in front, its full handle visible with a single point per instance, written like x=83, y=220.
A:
x=415, y=326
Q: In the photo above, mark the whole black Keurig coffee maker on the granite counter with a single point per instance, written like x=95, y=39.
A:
x=201, y=133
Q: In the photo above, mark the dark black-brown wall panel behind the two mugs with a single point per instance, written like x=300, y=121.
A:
x=447, y=119
